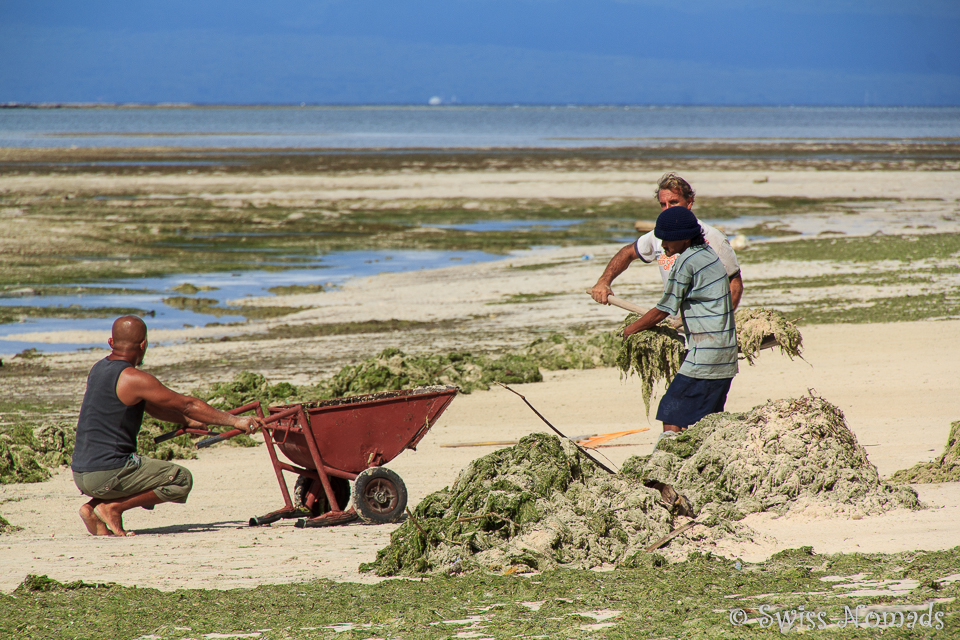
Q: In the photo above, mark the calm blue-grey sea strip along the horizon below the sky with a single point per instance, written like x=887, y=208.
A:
x=446, y=127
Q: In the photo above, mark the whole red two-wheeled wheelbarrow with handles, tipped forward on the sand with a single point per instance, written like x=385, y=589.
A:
x=333, y=442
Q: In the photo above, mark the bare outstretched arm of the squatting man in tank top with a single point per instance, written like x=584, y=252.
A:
x=135, y=385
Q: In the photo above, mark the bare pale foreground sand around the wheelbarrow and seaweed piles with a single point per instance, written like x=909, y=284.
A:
x=895, y=384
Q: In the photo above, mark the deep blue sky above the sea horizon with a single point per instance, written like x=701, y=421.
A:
x=482, y=51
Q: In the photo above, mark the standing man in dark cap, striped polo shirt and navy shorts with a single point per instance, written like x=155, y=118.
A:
x=698, y=289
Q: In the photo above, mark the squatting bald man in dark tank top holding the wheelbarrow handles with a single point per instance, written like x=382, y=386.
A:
x=106, y=466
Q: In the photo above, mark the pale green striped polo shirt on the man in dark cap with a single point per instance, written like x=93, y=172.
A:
x=698, y=289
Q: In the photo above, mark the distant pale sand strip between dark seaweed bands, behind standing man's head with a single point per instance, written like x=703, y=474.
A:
x=504, y=184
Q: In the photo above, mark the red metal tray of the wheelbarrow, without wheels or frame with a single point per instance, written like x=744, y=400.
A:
x=356, y=433
